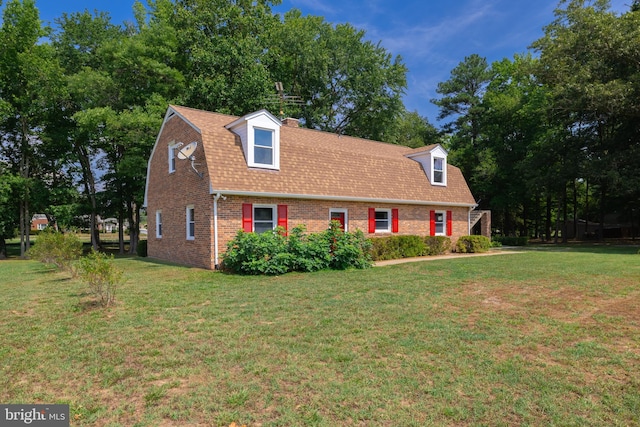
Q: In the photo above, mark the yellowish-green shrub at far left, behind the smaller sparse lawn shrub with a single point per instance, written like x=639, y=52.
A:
x=57, y=249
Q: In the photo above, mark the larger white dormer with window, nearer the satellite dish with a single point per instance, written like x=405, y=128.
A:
x=260, y=136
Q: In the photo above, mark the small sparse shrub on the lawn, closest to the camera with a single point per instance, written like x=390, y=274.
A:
x=102, y=277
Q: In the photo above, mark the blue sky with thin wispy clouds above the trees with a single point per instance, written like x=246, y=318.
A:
x=431, y=36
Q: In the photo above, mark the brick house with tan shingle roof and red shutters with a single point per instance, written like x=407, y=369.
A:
x=210, y=175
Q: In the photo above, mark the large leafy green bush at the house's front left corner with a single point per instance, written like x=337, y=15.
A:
x=276, y=253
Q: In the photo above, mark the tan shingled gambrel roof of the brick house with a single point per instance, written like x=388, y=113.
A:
x=320, y=165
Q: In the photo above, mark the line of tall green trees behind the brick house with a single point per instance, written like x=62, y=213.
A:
x=542, y=140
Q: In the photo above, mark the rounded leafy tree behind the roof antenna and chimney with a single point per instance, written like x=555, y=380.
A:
x=350, y=86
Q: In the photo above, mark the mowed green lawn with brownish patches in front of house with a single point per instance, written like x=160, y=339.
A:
x=548, y=337
